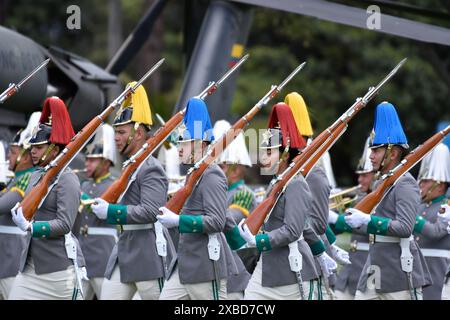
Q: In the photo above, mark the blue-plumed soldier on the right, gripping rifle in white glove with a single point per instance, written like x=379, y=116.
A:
x=388, y=274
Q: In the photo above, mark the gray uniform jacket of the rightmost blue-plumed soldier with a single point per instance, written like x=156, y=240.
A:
x=400, y=205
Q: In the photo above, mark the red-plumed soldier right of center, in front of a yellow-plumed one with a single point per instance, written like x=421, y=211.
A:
x=276, y=276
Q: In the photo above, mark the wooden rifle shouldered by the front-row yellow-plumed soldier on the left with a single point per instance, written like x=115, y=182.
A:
x=130, y=167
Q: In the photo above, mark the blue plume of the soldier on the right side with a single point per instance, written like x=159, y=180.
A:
x=387, y=126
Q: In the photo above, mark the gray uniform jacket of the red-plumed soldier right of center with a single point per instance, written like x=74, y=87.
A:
x=285, y=225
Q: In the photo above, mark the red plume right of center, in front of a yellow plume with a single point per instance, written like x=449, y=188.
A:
x=281, y=116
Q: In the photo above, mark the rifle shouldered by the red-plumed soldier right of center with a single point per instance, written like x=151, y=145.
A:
x=310, y=155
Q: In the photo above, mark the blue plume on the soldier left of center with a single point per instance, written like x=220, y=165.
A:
x=197, y=121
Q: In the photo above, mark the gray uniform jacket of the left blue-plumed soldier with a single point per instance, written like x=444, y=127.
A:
x=209, y=200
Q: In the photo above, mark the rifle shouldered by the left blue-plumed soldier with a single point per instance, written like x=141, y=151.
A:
x=179, y=198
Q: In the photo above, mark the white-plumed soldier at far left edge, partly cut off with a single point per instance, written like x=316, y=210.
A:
x=10, y=235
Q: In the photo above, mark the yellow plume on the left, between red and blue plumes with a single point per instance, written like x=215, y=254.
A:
x=141, y=106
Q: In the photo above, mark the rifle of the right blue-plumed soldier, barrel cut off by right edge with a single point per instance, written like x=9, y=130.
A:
x=388, y=180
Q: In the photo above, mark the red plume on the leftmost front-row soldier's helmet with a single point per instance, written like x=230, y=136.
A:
x=62, y=130
